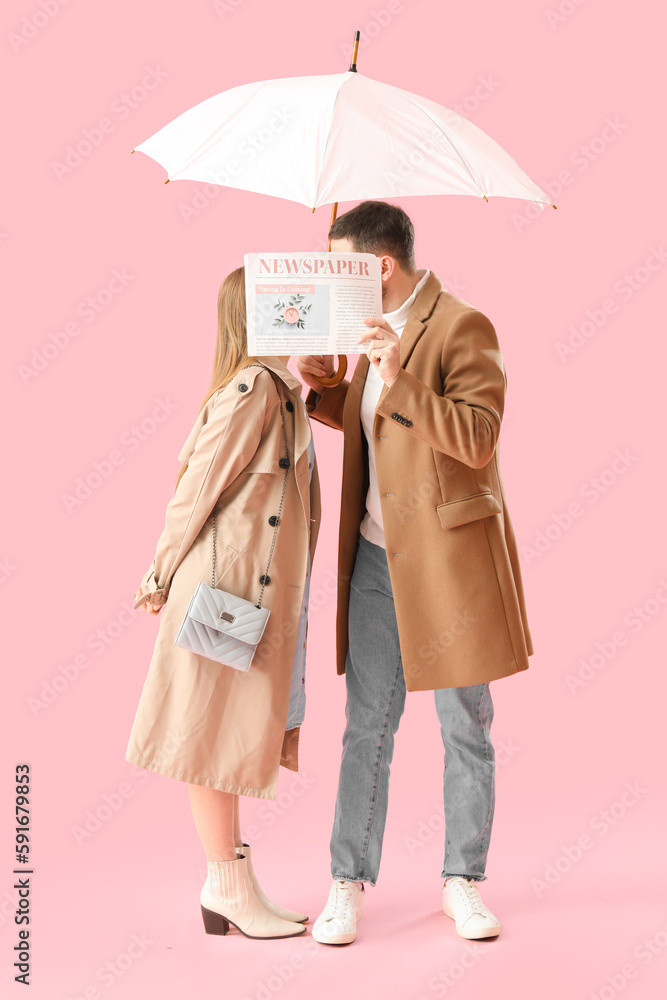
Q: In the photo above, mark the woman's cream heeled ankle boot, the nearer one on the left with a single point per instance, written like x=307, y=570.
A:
x=228, y=897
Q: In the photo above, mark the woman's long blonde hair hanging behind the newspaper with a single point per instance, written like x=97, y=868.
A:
x=231, y=348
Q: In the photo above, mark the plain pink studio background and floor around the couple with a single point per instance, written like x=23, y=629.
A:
x=568, y=756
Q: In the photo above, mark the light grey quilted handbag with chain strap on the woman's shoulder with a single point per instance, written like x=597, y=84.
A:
x=220, y=625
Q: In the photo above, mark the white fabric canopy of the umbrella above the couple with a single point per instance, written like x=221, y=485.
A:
x=341, y=137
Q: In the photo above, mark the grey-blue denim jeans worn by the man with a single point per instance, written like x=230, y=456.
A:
x=375, y=702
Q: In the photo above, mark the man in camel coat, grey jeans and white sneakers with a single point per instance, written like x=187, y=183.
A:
x=429, y=587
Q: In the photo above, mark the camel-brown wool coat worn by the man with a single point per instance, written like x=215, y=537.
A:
x=451, y=550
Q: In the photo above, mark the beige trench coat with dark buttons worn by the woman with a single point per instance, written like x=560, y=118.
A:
x=198, y=720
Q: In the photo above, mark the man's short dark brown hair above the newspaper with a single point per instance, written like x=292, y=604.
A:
x=378, y=227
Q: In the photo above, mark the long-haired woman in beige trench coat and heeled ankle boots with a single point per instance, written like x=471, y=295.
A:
x=223, y=731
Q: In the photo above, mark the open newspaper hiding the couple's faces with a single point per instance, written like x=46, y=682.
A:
x=310, y=303
